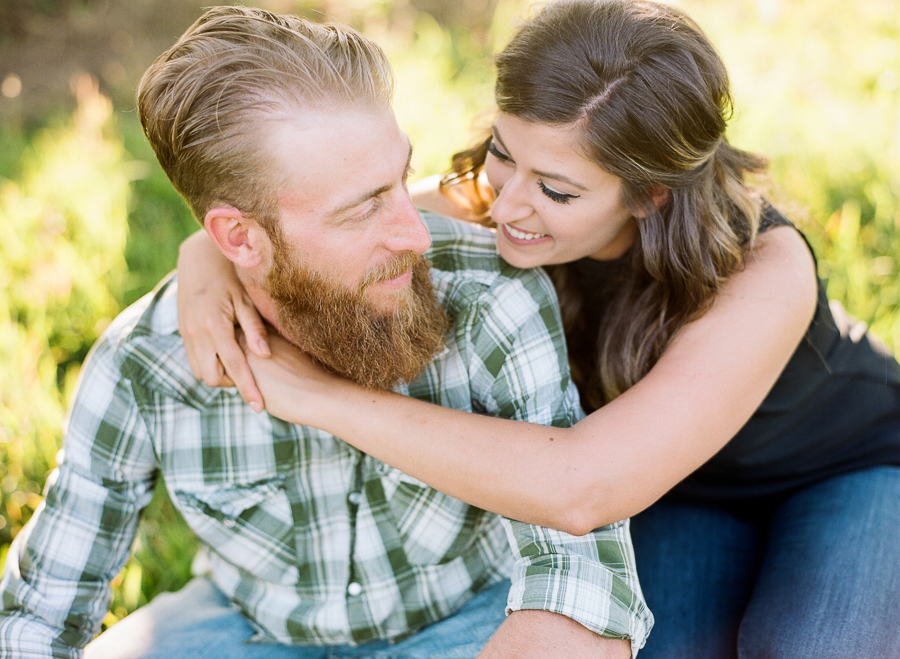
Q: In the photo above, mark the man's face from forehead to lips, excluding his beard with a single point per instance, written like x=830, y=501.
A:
x=343, y=204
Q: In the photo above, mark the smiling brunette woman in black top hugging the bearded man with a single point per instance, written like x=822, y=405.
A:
x=755, y=436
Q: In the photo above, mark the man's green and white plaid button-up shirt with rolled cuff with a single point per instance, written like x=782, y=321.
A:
x=317, y=542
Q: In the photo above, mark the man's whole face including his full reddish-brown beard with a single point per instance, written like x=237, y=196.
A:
x=346, y=274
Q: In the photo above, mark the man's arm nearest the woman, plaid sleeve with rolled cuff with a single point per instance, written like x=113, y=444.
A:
x=589, y=580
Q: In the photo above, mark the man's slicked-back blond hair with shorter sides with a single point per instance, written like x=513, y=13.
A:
x=204, y=101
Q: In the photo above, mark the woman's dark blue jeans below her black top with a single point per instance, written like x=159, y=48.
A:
x=817, y=575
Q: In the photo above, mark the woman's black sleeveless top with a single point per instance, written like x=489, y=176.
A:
x=834, y=408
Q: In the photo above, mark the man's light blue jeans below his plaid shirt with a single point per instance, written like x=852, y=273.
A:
x=198, y=622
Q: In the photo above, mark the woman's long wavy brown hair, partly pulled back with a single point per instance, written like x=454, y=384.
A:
x=651, y=97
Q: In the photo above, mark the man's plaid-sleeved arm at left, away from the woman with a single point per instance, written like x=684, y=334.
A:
x=55, y=588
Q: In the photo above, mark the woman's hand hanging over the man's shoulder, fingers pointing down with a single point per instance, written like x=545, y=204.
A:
x=211, y=302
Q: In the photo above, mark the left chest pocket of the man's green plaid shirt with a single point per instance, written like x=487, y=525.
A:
x=250, y=525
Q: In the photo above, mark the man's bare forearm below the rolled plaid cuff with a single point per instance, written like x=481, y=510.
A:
x=541, y=634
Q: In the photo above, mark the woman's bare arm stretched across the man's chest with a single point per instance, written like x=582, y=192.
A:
x=615, y=462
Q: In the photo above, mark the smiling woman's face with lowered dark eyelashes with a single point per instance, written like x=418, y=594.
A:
x=553, y=204
